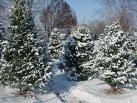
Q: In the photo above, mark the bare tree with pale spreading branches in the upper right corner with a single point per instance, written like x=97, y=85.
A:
x=124, y=10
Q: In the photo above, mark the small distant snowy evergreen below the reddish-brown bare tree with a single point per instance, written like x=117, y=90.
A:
x=55, y=46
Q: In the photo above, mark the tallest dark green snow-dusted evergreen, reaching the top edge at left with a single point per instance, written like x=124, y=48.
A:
x=24, y=69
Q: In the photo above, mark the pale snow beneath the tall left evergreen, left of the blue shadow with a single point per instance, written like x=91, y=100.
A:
x=7, y=95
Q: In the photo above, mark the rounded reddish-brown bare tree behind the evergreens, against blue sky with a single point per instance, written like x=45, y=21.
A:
x=58, y=14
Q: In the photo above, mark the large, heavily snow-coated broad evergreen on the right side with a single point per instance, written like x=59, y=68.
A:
x=114, y=61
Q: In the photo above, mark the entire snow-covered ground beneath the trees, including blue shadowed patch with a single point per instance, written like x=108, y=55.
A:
x=64, y=91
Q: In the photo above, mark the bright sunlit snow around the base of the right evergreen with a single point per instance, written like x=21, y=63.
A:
x=95, y=91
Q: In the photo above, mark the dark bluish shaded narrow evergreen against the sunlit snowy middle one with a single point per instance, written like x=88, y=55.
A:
x=70, y=58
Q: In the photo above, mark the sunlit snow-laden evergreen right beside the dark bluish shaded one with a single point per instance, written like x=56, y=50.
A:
x=85, y=48
